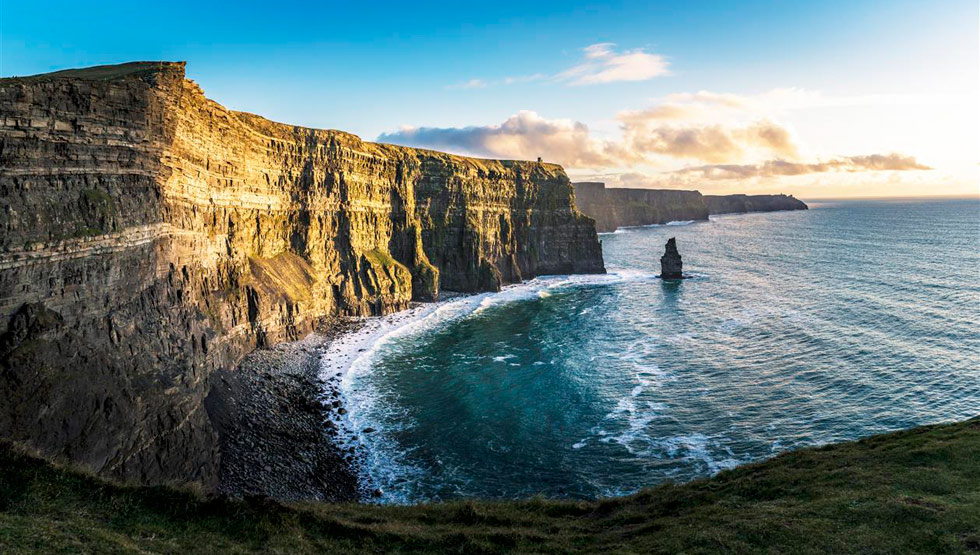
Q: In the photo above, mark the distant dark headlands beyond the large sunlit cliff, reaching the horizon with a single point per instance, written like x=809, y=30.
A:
x=612, y=208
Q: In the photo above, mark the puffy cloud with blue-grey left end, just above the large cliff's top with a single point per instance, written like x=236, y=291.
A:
x=525, y=135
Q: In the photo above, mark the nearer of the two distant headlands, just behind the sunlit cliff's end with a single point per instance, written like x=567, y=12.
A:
x=614, y=208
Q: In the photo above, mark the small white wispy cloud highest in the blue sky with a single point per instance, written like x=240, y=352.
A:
x=603, y=64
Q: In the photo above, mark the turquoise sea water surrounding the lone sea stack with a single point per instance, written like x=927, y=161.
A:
x=797, y=329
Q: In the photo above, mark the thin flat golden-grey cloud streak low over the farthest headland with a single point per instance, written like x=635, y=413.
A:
x=772, y=168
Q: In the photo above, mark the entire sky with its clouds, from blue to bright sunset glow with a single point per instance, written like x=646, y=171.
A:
x=818, y=99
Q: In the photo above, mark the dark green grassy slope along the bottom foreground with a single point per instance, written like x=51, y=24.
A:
x=916, y=491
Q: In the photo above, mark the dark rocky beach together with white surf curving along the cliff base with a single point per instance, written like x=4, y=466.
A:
x=294, y=425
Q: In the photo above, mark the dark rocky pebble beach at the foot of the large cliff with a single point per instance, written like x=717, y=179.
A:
x=278, y=421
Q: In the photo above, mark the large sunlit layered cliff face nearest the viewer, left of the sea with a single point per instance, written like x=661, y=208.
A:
x=151, y=236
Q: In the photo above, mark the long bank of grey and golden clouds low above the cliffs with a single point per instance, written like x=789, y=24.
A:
x=527, y=135
